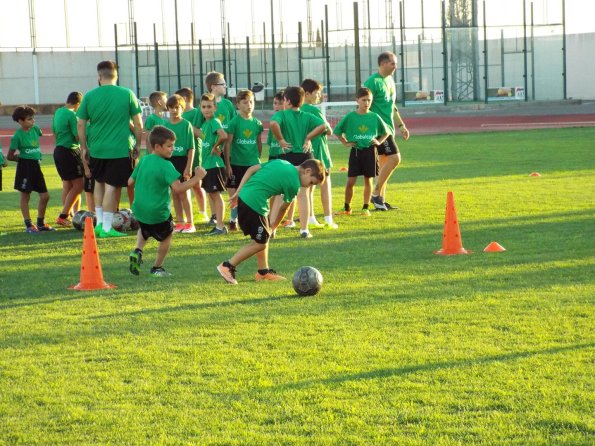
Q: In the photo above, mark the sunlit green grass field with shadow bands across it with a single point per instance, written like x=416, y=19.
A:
x=400, y=347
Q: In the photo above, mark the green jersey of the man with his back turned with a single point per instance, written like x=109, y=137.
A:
x=108, y=109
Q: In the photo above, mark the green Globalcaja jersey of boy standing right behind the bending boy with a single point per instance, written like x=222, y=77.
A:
x=244, y=145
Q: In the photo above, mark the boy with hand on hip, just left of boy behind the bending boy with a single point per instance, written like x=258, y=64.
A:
x=213, y=138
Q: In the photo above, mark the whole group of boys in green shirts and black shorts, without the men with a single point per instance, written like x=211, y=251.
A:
x=209, y=150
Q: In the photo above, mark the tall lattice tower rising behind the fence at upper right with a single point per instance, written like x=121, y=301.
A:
x=464, y=58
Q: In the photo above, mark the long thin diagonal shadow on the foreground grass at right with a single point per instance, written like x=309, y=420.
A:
x=430, y=367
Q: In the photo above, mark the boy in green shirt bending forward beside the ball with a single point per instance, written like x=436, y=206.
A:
x=260, y=183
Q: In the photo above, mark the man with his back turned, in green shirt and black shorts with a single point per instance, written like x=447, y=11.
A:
x=107, y=149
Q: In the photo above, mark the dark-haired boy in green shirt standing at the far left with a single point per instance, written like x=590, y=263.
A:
x=29, y=177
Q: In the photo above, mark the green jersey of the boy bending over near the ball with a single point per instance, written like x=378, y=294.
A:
x=273, y=178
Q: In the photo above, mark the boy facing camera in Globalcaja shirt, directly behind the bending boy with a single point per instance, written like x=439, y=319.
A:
x=243, y=146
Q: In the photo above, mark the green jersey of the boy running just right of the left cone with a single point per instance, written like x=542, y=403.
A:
x=153, y=176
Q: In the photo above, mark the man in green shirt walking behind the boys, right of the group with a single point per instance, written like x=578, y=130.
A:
x=384, y=91
